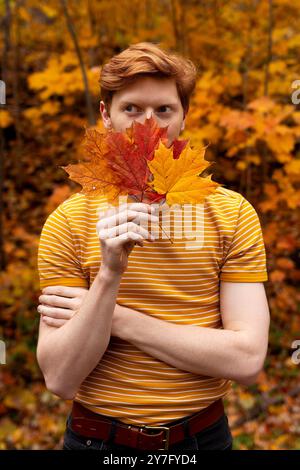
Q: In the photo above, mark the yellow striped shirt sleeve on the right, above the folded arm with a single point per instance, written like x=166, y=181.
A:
x=245, y=260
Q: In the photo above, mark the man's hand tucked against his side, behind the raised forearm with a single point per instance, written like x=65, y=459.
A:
x=59, y=303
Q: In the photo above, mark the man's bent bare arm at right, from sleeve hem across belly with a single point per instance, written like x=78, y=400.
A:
x=237, y=352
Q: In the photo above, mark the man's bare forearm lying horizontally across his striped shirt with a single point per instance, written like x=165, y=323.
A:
x=200, y=350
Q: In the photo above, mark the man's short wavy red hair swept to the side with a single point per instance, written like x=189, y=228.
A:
x=144, y=59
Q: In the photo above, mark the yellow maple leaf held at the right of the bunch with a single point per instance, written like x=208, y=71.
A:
x=179, y=178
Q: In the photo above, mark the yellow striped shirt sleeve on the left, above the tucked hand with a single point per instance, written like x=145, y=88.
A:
x=58, y=263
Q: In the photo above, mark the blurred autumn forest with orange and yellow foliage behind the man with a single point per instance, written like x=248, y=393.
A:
x=245, y=106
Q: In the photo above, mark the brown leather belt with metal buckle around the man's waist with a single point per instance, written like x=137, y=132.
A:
x=89, y=424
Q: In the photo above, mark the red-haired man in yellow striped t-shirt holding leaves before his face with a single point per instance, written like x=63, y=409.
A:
x=143, y=337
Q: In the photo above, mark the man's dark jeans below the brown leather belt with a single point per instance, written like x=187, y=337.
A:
x=214, y=437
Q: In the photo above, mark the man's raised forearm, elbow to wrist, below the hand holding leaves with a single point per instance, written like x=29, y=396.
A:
x=68, y=354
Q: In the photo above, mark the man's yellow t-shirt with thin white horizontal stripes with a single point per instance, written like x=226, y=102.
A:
x=176, y=282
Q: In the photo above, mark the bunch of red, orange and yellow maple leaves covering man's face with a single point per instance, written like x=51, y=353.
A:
x=138, y=163
